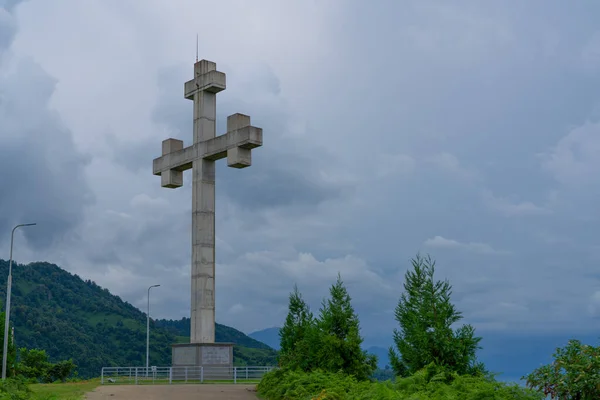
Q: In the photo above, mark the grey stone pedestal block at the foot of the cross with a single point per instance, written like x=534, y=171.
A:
x=213, y=356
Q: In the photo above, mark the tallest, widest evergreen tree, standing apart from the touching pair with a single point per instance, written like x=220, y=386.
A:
x=426, y=315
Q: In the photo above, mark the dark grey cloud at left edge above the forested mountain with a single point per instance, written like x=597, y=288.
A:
x=43, y=171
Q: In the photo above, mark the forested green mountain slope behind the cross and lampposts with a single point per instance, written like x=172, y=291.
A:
x=68, y=317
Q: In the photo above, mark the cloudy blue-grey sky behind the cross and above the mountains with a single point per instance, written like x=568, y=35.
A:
x=469, y=131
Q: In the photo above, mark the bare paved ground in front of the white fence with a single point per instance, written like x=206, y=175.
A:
x=174, y=392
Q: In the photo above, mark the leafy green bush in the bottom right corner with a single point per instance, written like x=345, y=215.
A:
x=574, y=373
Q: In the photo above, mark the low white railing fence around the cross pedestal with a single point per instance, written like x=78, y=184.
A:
x=169, y=375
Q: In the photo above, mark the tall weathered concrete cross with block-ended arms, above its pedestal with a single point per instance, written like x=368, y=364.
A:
x=236, y=145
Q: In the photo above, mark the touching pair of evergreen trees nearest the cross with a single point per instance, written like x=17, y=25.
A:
x=331, y=342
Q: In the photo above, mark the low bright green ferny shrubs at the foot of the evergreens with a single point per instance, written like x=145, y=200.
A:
x=431, y=383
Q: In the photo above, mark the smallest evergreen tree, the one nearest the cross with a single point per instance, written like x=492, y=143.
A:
x=297, y=335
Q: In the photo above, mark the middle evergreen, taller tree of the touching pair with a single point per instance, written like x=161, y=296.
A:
x=339, y=339
